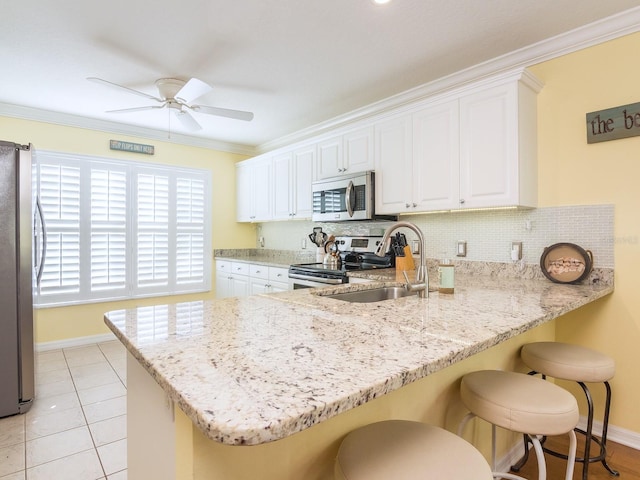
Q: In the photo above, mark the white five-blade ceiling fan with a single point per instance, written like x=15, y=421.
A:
x=177, y=95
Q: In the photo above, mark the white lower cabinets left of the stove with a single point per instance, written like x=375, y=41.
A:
x=240, y=279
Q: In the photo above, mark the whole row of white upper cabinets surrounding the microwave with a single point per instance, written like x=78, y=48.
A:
x=472, y=146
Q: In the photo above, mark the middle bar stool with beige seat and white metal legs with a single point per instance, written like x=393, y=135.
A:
x=524, y=404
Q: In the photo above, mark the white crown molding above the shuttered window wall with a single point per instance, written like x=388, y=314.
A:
x=70, y=120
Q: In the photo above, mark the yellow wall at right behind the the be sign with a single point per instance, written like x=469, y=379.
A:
x=573, y=172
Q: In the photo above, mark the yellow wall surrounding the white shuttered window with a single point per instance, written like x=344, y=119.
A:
x=64, y=323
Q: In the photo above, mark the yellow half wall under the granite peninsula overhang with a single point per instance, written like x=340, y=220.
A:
x=310, y=454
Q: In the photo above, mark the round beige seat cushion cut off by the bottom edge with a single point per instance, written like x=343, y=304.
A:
x=406, y=450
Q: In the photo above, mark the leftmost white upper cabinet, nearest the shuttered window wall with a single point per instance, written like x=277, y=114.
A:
x=253, y=190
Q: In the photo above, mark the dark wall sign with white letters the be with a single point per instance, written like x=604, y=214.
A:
x=613, y=123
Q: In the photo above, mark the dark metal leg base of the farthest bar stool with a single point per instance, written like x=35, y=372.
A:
x=589, y=438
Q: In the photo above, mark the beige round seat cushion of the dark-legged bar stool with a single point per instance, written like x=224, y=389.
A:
x=568, y=362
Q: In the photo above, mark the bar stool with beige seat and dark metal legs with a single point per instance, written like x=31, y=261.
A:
x=582, y=365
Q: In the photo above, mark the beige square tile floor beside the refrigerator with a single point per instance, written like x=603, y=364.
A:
x=76, y=428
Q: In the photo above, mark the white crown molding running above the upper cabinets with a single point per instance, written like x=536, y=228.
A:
x=610, y=28
